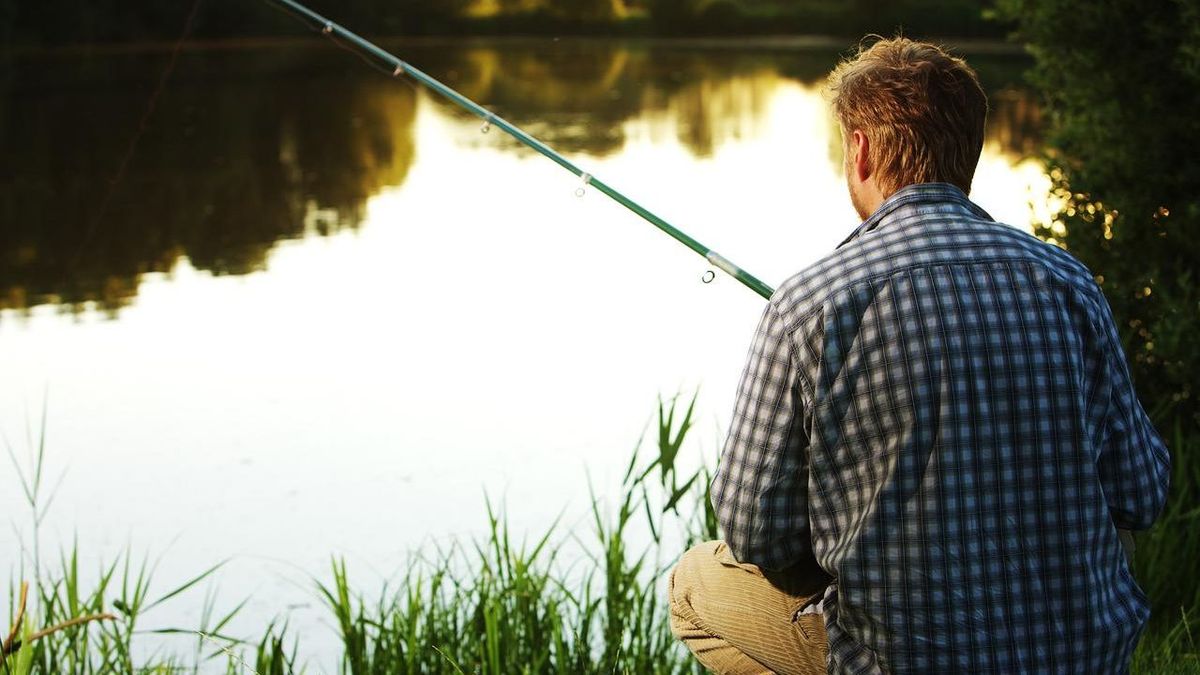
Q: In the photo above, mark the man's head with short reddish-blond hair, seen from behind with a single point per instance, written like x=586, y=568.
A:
x=909, y=114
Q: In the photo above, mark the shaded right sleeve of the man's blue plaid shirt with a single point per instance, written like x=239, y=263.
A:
x=1135, y=465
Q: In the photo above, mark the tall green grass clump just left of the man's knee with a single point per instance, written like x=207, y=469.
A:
x=520, y=607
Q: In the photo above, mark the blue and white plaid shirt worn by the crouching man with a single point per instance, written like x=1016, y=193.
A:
x=940, y=413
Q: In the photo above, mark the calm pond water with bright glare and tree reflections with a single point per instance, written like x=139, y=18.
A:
x=322, y=314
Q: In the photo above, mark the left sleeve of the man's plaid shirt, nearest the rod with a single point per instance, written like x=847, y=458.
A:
x=760, y=491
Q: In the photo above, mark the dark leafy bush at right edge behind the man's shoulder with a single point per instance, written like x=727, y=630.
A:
x=1121, y=83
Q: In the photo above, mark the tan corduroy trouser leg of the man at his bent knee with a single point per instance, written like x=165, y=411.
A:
x=740, y=620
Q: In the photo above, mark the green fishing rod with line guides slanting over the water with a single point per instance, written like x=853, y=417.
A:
x=400, y=69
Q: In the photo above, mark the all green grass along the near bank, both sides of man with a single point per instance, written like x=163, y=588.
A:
x=555, y=604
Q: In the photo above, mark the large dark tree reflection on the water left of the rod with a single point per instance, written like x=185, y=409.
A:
x=231, y=163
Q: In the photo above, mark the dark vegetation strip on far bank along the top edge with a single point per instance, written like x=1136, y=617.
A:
x=64, y=22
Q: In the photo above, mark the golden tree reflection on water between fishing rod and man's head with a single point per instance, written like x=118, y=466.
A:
x=578, y=97
